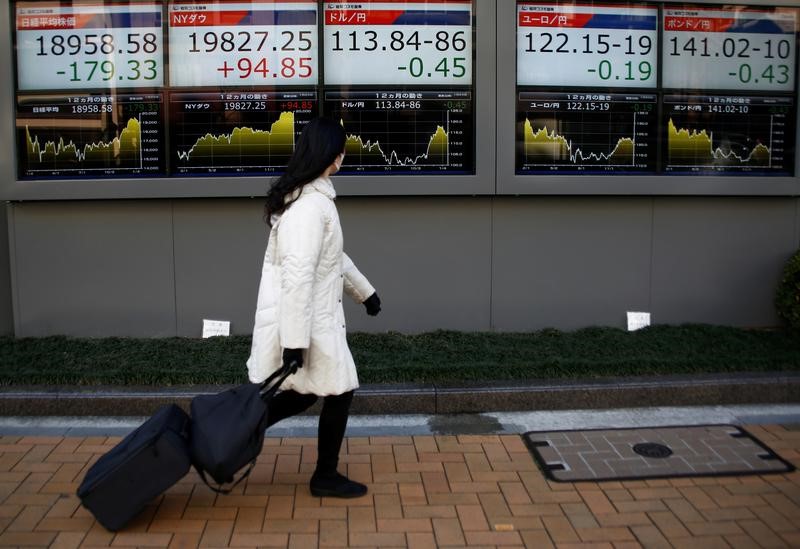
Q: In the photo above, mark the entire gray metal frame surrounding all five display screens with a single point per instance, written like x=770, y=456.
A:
x=495, y=173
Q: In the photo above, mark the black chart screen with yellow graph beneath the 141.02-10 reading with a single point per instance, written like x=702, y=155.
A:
x=731, y=134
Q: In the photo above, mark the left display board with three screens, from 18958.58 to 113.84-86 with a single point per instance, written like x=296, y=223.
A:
x=183, y=88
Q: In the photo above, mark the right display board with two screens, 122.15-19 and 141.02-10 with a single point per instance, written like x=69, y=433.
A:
x=643, y=88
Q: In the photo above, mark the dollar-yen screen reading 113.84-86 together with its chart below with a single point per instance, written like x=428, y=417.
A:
x=399, y=77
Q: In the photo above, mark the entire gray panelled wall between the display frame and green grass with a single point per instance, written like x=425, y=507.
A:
x=157, y=268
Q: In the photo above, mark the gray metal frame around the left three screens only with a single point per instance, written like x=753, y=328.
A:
x=482, y=182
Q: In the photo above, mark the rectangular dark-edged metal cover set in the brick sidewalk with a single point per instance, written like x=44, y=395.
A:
x=654, y=452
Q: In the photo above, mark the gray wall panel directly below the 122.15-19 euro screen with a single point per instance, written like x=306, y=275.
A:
x=569, y=262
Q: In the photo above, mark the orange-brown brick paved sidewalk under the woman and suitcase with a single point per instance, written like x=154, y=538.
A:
x=425, y=491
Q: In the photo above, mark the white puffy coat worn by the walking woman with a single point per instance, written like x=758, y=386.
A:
x=300, y=296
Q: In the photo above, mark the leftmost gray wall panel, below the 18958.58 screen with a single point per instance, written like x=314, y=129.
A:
x=94, y=268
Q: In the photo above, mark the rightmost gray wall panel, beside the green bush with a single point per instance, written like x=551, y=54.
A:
x=718, y=260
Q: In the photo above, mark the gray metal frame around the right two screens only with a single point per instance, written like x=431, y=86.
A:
x=511, y=183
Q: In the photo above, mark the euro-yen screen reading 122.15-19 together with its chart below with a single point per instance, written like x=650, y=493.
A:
x=606, y=58
